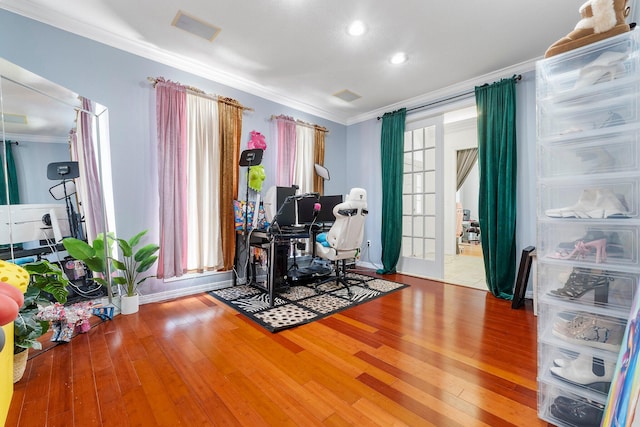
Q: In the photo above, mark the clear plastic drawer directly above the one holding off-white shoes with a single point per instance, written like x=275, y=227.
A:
x=589, y=156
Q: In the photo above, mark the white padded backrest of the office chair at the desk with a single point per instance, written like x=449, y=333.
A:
x=347, y=231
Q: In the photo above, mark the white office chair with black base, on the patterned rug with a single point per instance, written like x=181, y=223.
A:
x=344, y=238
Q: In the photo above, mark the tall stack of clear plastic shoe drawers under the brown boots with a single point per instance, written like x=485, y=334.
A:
x=588, y=227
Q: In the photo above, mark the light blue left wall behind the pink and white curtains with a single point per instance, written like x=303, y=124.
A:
x=118, y=80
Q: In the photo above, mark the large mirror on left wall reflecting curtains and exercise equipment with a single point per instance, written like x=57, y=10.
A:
x=55, y=177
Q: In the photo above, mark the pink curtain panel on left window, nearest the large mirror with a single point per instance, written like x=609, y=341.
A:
x=171, y=109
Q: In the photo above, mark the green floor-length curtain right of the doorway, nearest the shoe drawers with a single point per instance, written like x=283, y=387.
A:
x=496, y=105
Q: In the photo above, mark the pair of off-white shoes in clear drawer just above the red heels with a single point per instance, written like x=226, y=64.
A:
x=593, y=203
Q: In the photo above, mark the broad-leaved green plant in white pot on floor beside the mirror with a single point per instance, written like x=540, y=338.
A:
x=133, y=263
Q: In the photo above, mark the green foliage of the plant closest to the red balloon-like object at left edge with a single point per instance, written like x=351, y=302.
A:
x=45, y=280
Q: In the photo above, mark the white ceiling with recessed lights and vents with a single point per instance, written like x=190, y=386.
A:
x=298, y=53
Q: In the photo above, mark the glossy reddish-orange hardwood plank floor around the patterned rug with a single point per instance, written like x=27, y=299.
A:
x=430, y=354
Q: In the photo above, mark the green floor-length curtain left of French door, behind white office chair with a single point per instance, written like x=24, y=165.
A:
x=391, y=153
